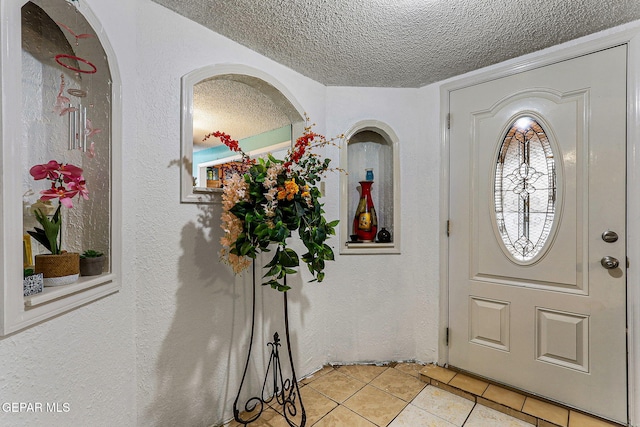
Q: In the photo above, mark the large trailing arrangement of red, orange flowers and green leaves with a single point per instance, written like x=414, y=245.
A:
x=265, y=200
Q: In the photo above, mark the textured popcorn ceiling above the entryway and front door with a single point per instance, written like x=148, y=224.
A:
x=400, y=43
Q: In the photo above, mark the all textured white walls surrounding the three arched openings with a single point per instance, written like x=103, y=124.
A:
x=169, y=348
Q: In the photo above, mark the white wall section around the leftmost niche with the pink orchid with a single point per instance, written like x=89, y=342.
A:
x=84, y=358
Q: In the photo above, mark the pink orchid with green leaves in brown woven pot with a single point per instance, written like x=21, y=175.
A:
x=59, y=267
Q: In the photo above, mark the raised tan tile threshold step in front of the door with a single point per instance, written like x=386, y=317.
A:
x=529, y=408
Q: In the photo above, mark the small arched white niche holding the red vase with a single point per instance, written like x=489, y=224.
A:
x=370, y=145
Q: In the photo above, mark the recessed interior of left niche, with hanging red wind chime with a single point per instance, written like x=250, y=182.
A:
x=67, y=81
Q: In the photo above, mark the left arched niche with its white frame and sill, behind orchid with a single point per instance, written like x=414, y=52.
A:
x=68, y=98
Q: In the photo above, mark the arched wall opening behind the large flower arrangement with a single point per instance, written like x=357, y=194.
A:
x=249, y=105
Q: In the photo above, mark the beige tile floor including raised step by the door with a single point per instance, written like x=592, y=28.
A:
x=402, y=395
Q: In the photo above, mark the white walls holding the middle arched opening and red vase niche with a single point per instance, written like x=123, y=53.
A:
x=192, y=318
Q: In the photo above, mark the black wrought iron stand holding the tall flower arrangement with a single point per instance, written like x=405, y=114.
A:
x=286, y=393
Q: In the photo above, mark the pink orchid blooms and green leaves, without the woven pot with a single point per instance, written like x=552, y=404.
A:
x=66, y=182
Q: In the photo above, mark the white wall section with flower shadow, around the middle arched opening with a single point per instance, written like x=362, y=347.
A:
x=192, y=315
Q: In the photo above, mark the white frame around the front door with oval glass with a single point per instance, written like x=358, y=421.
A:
x=628, y=34
